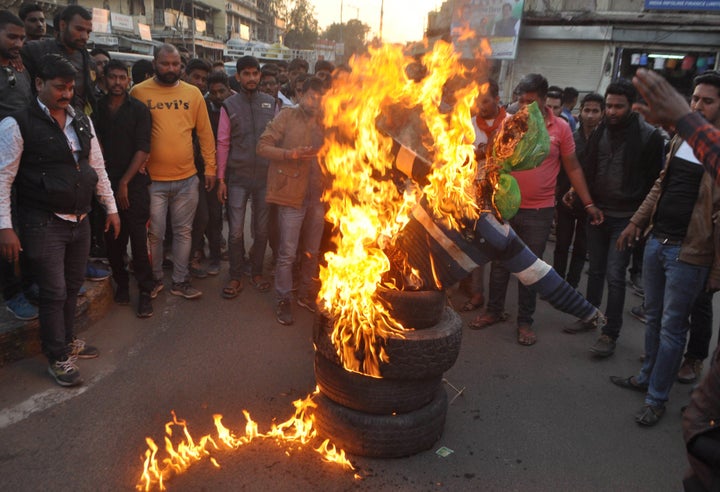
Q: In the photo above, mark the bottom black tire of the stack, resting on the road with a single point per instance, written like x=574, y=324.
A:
x=381, y=436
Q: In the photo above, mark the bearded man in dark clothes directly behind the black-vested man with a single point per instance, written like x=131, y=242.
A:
x=75, y=26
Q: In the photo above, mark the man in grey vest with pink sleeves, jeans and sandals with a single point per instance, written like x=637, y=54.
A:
x=242, y=174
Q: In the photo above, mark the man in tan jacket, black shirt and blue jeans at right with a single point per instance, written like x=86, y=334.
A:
x=679, y=254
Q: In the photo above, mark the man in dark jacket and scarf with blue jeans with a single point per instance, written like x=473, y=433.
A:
x=623, y=158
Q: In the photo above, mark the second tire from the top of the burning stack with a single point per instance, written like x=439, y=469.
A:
x=421, y=354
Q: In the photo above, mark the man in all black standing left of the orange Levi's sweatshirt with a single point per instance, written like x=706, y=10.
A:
x=123, y=126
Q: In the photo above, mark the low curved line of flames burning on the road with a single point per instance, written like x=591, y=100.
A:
x=179, y=457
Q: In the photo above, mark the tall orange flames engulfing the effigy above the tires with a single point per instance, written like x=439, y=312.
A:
x=364, y=202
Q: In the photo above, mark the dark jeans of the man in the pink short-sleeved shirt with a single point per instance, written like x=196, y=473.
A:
x=533, y=227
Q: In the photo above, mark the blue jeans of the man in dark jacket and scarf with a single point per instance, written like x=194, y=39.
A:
x=606, y=261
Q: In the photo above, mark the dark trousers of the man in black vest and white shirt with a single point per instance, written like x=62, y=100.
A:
x=58, y=251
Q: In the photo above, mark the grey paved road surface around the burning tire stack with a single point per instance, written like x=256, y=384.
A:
x=538, y=418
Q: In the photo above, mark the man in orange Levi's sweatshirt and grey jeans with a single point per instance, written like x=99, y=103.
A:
x=177, y=109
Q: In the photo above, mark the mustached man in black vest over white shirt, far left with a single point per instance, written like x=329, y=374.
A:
x=52, y=156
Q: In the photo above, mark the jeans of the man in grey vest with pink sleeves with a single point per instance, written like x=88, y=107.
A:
x=240, y=191
